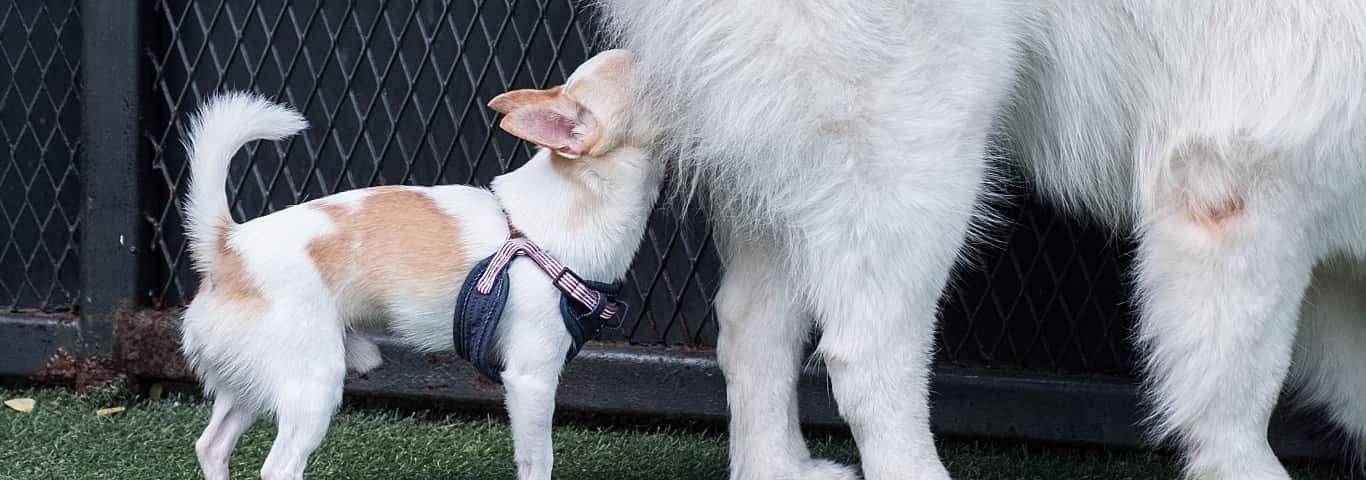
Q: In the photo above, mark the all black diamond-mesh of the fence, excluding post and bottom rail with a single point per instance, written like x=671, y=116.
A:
x=397, y=92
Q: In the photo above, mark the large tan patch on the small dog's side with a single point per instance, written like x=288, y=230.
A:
x=398, y=243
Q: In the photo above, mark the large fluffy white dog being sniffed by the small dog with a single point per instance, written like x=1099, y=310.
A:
x=844, y=148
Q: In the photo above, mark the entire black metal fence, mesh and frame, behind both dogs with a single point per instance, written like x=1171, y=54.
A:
x=395, y=94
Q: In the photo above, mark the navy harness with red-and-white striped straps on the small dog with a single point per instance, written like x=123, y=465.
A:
x=587, y=307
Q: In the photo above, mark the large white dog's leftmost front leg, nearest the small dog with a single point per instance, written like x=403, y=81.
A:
x=763, y=336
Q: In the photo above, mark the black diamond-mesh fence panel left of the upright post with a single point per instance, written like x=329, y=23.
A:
x=40, y=128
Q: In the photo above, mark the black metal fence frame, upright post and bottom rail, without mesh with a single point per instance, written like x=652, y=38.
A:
x=609, y=378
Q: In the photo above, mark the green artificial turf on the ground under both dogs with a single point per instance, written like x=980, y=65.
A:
x=64, y=438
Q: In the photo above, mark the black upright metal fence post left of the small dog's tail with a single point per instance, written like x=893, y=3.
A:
x=114, y=237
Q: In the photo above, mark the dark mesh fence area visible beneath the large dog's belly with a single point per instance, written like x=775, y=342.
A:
x=1044, y=293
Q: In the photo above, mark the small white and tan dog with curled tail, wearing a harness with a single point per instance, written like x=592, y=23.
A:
x=275, y=325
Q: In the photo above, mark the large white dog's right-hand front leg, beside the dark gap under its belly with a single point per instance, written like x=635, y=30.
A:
x=875, y=295
